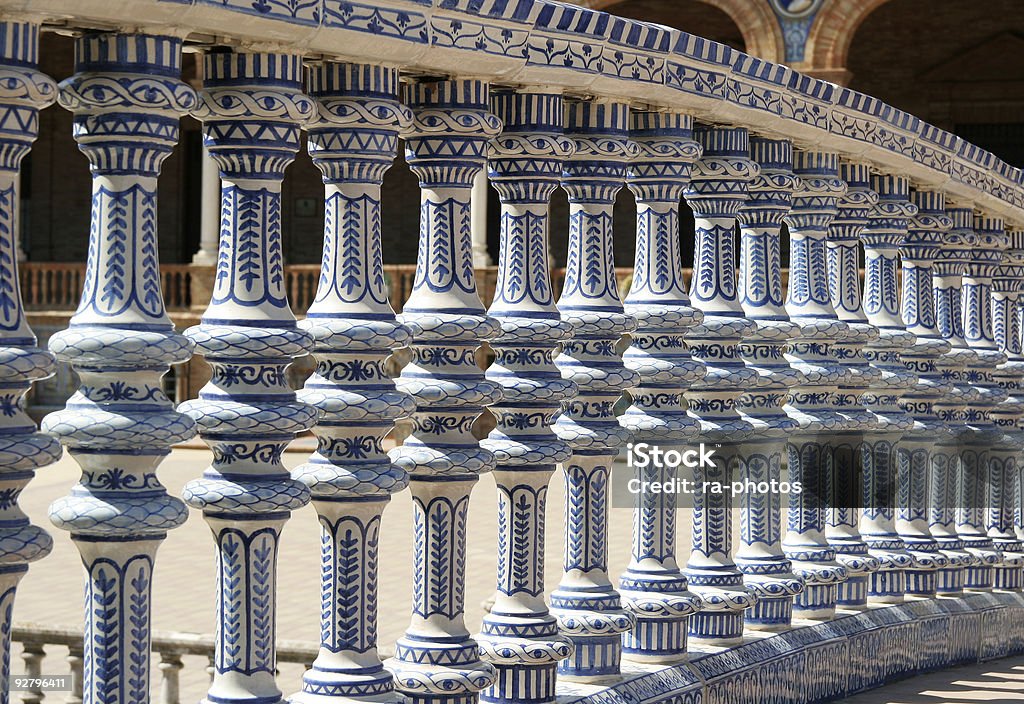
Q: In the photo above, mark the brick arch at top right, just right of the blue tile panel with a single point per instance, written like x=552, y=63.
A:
x=829, y=41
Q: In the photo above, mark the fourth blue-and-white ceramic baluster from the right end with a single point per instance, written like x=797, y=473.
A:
x=919, y=251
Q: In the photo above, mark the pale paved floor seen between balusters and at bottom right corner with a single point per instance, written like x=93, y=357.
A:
x=52, y=593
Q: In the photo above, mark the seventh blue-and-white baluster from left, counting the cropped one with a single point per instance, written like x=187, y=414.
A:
x=588, y=608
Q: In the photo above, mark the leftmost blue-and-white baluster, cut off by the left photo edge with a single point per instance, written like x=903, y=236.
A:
x=23, y=451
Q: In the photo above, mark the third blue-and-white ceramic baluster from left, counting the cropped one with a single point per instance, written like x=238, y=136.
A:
x=252, y=106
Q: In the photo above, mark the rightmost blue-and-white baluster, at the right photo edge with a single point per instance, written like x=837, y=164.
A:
x=1008, y=284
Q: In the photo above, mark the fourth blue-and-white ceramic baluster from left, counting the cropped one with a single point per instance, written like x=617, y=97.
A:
x=353, y=141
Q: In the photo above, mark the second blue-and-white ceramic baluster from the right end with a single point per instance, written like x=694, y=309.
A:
x=976, y=459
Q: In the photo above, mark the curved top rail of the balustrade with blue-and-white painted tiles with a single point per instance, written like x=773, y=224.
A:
x=586, y=52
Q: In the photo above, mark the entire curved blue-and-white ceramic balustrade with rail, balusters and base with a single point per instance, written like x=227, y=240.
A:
x=900, y=412
